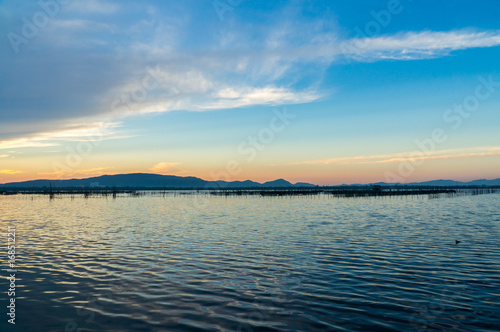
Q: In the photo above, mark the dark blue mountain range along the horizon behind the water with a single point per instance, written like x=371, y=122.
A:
x=145, y=180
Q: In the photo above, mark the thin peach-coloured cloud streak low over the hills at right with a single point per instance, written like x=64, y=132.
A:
x=478, y=152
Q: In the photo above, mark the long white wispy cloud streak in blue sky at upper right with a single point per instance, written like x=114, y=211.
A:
x=409, y=45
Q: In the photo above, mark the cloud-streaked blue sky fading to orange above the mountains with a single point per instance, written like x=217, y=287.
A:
x=325, y=92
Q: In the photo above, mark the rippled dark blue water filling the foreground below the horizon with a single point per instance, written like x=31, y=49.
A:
x=190, y=263
